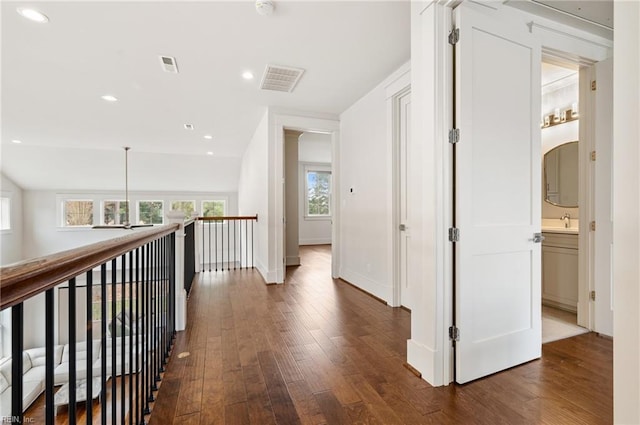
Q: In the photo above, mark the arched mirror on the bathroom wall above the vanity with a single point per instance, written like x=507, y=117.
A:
x=561, y=175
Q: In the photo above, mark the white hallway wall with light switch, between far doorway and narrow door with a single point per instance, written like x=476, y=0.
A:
x=366, y=209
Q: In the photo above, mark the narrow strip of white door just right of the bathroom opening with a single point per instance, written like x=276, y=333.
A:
x=603, y=237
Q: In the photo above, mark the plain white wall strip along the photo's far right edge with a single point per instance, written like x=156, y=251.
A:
x=626, y=213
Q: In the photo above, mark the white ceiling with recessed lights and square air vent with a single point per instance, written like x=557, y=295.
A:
x=54, y=74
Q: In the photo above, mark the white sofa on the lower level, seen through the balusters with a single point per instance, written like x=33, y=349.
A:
x=34, y=364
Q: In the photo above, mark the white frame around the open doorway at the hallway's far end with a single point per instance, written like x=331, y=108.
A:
x=280, y=121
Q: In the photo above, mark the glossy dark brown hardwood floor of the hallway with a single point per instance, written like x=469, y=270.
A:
x=319, y=351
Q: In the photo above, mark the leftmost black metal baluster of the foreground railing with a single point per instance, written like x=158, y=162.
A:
x=17, y=346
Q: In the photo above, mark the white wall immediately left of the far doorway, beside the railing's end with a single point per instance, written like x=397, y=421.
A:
x=253, y=193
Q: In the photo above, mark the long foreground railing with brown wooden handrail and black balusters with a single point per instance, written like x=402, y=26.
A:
x=142, y=266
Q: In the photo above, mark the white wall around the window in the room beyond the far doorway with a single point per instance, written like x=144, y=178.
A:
x=314, y=149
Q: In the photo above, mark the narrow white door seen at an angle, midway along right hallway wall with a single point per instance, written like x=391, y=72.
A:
x=405, y=208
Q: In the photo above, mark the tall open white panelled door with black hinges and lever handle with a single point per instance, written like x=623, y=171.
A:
x=497, y=195
